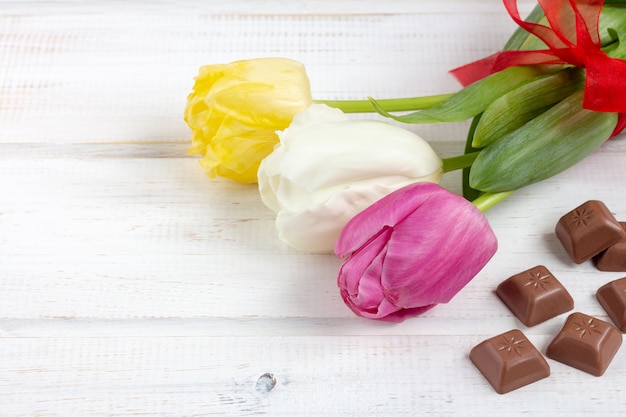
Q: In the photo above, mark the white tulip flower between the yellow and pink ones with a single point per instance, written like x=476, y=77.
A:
x=327, y=168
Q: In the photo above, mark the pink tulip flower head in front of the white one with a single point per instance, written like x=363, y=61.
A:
x=411, y=250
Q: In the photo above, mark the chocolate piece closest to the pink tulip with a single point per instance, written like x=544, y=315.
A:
x=535, y=296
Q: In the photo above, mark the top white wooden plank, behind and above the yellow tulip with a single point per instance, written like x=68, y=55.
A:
x=89, y=72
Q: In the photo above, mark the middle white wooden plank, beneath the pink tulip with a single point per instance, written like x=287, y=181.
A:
x=116, y=238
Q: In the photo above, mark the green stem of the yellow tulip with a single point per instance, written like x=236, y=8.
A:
x=394, y=104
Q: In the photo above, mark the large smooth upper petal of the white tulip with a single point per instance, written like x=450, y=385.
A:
x=355, y=151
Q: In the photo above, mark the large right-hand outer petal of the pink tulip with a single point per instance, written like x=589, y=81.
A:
x=447, y=250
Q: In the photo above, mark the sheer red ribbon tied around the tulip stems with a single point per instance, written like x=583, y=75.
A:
x=572, y=38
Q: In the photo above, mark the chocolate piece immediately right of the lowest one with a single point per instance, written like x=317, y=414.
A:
x=585, y=343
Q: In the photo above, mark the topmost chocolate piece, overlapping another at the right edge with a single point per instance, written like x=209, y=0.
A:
x=588, y=230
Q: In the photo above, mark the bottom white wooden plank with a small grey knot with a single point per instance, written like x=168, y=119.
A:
x=346, y=376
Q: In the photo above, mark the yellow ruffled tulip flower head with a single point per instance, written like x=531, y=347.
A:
x=235, y=109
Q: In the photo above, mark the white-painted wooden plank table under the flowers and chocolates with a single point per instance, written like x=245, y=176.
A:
x=131, y=284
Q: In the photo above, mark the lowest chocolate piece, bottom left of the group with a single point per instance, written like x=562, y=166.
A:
x=509, y=361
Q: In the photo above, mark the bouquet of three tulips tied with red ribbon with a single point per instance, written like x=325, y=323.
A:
x=369, y=190
